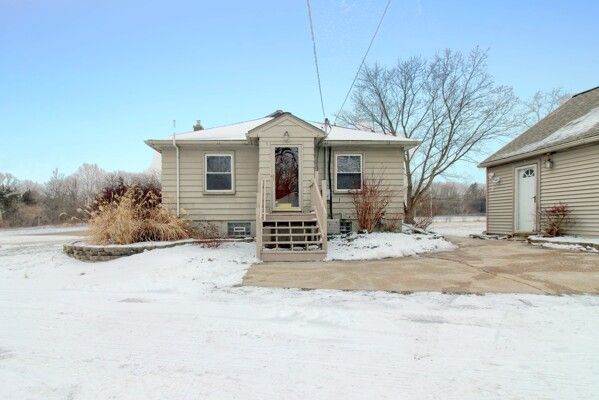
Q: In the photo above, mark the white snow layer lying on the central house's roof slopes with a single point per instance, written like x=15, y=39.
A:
x=239, y=131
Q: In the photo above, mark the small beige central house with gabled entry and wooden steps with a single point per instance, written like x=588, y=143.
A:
x=284, y=180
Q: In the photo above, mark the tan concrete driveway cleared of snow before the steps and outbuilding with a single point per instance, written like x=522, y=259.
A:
x=477, y=266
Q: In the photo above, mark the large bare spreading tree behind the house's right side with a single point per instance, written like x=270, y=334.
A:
x=450, y=103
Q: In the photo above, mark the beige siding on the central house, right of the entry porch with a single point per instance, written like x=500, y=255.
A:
x=386, y=161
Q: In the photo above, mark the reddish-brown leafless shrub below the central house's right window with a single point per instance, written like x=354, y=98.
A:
x=371, y=202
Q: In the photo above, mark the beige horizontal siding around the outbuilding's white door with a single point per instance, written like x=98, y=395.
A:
x=574, y=180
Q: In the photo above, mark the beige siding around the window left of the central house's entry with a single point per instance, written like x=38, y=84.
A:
x=198, y=205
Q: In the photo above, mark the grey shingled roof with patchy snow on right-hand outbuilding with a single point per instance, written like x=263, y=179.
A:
x=574, y=122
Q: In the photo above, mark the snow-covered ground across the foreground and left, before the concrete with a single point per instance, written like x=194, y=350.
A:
x=174, y=324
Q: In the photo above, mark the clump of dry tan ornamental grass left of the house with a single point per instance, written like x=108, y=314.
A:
x=136, y=215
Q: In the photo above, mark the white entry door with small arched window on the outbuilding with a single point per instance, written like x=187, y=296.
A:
x=526, y=198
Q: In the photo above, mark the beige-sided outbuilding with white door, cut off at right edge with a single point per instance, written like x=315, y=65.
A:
x=555, y=161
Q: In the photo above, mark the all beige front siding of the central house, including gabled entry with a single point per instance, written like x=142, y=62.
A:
x=252, y=162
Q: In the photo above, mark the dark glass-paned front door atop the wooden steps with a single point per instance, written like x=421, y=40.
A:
x=287, y=178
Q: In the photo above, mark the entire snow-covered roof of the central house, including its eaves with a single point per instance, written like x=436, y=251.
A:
x=239, y=132
